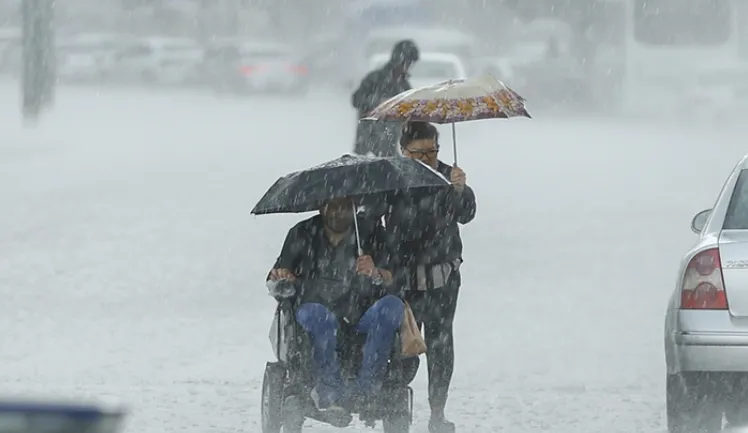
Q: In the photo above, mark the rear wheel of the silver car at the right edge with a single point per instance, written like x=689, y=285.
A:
x=691, y=407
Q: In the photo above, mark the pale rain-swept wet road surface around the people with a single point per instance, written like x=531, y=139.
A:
x=130, y=266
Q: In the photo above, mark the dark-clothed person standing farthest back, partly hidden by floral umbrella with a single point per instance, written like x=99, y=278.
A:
x=380, y=138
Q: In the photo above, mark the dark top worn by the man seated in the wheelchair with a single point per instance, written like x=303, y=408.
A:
x=299, y=254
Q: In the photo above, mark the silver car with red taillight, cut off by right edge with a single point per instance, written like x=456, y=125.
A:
x=706, y=326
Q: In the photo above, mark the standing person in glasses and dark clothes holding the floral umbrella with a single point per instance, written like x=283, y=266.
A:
x=424, y=234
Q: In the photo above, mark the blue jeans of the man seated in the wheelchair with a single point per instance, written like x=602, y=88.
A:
x=379, y=323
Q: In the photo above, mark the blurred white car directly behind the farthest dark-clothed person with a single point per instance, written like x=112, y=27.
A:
x=431, y=68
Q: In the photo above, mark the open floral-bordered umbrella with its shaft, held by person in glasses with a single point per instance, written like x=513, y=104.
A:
x=453, y=101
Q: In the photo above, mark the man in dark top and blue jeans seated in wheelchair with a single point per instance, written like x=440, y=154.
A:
x=334, y=285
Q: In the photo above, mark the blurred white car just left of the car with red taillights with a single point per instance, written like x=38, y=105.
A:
x=161, y=60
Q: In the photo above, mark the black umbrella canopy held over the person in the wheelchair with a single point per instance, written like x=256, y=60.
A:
x=351, y=176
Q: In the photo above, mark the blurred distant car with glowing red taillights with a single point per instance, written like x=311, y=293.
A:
x=243, y=67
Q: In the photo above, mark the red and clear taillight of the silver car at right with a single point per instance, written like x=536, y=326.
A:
x=703, y=286
